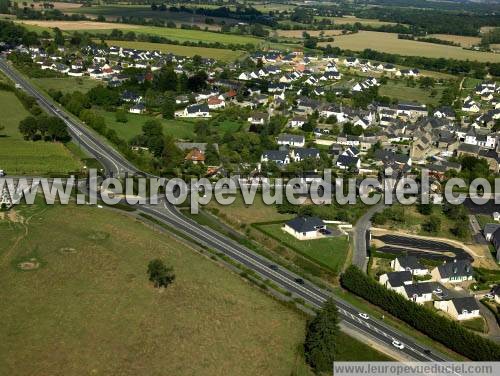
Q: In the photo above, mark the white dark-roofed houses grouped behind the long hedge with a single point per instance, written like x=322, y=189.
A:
x=407, y=280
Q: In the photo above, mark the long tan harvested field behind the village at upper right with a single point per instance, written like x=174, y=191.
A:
x=389, y=42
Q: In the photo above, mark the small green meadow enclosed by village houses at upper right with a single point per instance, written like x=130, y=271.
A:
x=403, y=93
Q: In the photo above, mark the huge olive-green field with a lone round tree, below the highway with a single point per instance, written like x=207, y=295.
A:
x=89, y=308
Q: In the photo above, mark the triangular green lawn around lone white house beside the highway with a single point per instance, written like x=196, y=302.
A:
x=330, y=252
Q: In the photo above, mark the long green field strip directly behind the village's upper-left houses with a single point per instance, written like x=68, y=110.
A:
x=214, y=53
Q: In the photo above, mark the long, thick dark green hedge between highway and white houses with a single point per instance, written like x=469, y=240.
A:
x=437, y=327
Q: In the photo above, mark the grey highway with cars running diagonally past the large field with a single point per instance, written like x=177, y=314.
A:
x=116, y=164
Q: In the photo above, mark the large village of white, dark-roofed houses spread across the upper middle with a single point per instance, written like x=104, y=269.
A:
x=407, y=132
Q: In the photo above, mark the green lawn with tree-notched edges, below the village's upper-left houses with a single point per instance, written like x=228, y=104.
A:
x=179, y=129
